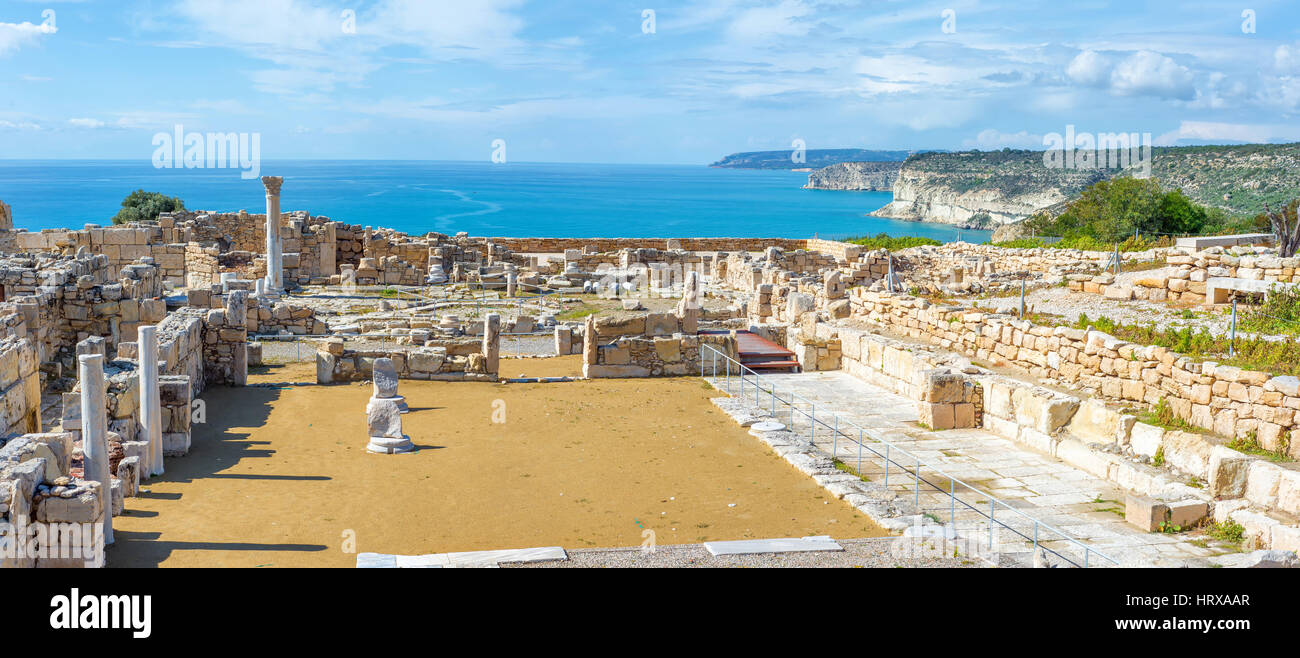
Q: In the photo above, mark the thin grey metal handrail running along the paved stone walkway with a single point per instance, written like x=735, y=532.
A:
x=891, y=457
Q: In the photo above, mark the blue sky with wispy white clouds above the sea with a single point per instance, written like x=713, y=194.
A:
x=582, y=81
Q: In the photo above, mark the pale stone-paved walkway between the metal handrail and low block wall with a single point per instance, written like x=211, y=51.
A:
x=1038, y=487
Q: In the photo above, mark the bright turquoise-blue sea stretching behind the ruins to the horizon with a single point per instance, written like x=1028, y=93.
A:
x=518, y=200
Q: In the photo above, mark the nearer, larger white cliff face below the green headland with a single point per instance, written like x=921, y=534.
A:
x=926, y=197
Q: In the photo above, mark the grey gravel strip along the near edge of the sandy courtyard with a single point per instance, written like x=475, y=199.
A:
x=873, y=553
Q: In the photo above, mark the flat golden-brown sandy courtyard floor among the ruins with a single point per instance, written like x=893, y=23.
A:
x=280, y=477
